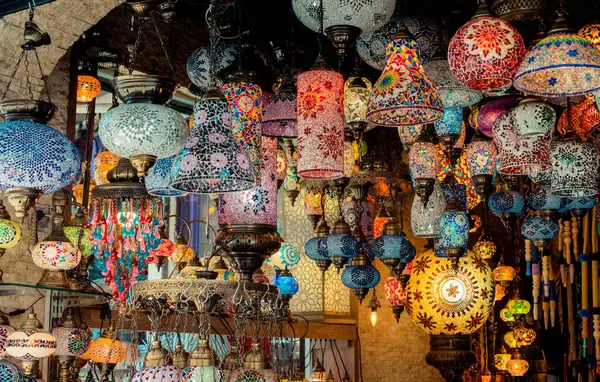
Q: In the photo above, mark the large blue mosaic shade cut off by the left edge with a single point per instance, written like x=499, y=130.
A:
x=36, y=156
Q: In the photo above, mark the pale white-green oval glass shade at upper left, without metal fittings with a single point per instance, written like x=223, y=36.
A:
x=140, y=128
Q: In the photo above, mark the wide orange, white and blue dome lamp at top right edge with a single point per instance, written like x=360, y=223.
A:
x=563, y=64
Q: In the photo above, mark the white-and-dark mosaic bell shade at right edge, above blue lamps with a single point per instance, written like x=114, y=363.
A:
x=574, y=168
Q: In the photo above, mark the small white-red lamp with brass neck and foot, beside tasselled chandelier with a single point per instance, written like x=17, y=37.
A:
x=56, y=254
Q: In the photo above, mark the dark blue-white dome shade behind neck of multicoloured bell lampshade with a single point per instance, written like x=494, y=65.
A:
x=372, y=46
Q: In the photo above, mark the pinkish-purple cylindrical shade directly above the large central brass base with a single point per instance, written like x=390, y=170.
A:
x=257, y=205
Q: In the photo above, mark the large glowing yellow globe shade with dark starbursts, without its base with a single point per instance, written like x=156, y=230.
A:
x=442, y=299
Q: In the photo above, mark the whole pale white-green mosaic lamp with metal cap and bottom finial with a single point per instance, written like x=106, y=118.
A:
x=141, y=128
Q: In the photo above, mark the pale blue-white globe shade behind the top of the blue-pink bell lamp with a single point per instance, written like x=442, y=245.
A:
x=198, y=65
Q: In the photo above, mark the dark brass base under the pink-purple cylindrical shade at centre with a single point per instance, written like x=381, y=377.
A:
x=247, y=246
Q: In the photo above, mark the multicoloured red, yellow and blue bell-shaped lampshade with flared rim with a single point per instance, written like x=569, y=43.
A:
x=404, y=94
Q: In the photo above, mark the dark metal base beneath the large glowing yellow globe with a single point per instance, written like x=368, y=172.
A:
x=451, y=355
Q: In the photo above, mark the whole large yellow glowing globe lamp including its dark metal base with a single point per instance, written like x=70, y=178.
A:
x=449, y=303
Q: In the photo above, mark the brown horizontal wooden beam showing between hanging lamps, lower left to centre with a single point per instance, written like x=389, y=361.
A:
x=337, y=331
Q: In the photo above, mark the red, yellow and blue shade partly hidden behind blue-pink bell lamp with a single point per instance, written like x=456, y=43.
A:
x=245, y=105
